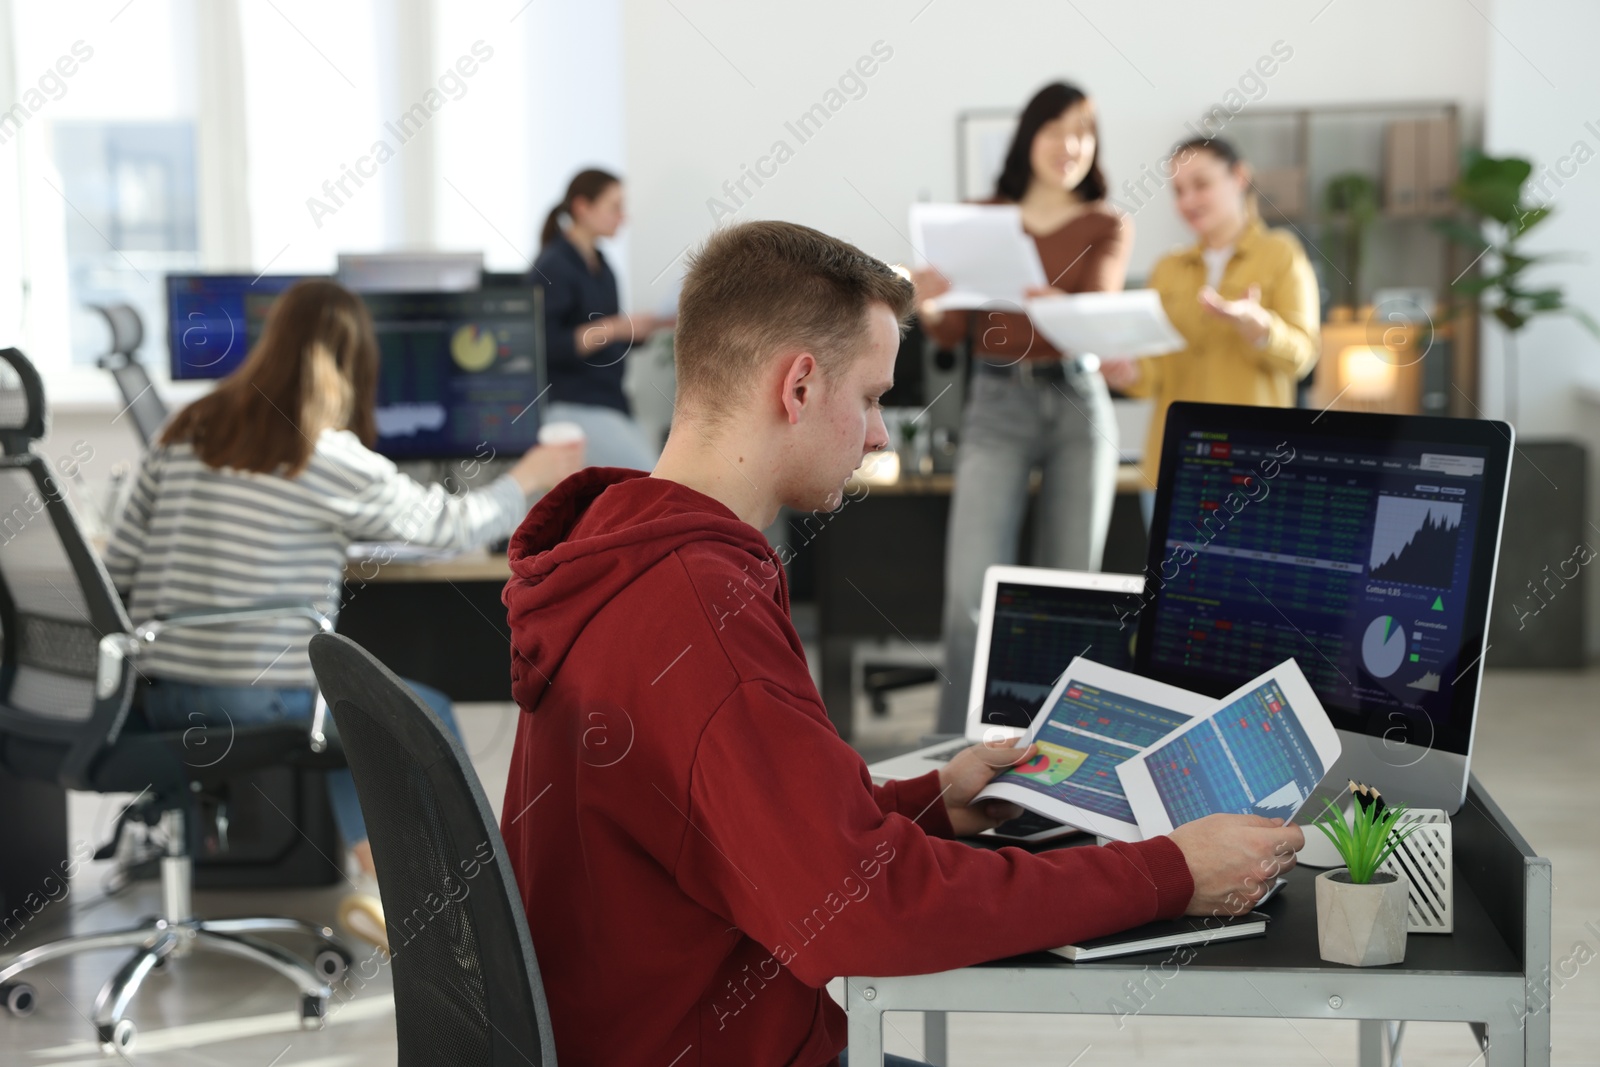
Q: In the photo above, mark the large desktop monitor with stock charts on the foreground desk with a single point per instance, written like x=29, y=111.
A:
x=1361, y=545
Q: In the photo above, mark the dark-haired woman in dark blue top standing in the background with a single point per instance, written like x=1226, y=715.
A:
x=586, y=335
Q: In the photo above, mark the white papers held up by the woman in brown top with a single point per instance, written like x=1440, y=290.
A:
x=980, y=249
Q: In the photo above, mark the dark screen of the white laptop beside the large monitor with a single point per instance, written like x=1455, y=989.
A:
x=1038, y=631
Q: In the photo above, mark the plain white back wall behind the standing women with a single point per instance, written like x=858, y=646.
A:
x=713, y=82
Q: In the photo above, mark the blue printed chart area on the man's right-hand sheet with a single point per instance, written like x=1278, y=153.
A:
x=1252, y=757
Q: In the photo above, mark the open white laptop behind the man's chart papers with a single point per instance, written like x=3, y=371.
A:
x=1031, y=626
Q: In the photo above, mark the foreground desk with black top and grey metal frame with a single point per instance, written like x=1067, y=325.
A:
x=1492, y=972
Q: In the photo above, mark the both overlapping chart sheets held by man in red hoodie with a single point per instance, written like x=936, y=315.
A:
x=1129, y=759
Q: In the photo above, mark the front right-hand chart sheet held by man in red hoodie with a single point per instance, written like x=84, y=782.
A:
x=1263, y=751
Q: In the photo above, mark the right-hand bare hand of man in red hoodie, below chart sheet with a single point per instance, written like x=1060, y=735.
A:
x=1234, y=860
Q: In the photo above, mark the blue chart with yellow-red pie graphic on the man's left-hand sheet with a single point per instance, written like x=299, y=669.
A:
x=1086, y=737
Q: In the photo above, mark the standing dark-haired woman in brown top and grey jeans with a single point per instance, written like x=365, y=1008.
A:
x=1031, y=407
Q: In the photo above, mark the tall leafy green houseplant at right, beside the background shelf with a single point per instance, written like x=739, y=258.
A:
x=1490, y=191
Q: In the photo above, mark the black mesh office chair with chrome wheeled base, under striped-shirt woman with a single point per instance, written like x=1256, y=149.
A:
x=68, y=674
